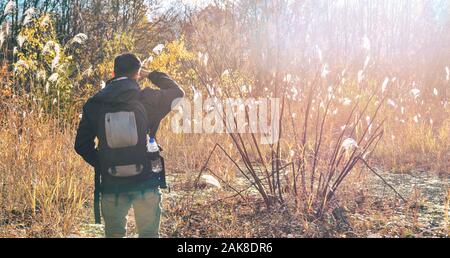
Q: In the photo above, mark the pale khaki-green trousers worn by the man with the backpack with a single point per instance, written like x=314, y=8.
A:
x=147, y=212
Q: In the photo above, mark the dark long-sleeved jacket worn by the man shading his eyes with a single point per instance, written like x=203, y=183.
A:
x=158, y=104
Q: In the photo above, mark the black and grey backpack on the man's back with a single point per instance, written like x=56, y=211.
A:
x=122, y=134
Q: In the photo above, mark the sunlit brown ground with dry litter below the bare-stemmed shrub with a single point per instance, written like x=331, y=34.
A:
x=374, y=211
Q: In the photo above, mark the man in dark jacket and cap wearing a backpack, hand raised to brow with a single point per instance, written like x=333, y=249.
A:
x=120, y=116
